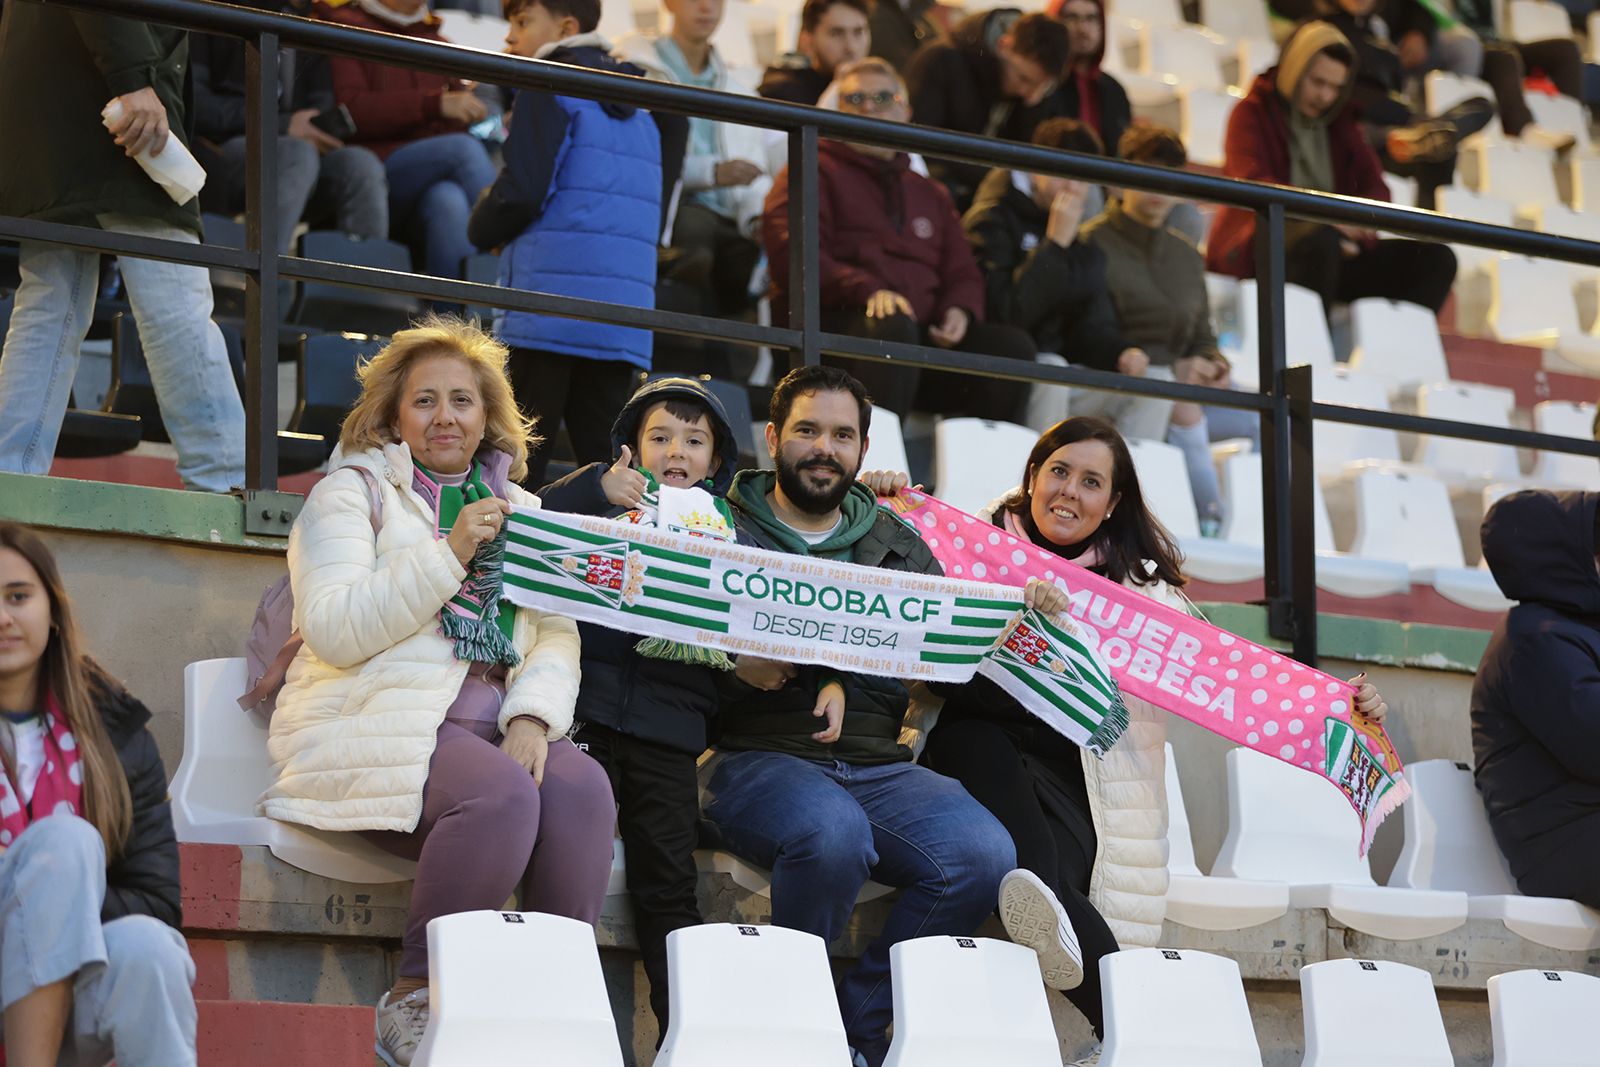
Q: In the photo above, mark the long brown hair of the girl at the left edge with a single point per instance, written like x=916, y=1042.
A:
x=71, y=677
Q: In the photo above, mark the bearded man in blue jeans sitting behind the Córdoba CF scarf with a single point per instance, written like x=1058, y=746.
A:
x=809, y=778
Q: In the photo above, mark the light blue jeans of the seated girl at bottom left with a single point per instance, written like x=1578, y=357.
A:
x=130, y=977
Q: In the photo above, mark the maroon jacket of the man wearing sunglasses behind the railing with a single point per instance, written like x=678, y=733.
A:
x=882, y=228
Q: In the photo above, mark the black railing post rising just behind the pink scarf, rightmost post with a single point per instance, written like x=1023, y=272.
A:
x=1279, y=529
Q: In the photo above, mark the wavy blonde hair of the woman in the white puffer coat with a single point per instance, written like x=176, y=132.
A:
x=374, y=418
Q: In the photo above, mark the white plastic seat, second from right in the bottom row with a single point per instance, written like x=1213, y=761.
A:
x=1366, y=1012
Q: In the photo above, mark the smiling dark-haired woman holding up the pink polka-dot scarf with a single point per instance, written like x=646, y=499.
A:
x=1090, y=833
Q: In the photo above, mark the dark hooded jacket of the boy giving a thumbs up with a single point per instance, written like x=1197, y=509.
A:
x=657, y=700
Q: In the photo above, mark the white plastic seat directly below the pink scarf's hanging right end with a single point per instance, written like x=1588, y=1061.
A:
x=1292, y=826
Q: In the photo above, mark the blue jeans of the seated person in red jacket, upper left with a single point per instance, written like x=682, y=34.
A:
x=433, y=186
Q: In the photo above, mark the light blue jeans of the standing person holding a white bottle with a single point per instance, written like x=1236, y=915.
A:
x=172, y=305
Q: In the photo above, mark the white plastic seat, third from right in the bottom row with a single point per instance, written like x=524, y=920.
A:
x=1167, y=1007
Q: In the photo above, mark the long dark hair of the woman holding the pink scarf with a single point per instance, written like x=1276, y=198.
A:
x=1132, y=538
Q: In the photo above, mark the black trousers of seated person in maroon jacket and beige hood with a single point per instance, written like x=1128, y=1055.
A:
x=1420, y=273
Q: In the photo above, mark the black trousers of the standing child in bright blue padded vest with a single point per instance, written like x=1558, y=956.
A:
x=567, y=390
